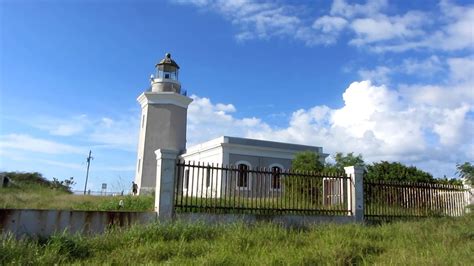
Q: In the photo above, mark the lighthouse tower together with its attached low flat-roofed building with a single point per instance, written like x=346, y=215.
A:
x=163, y=126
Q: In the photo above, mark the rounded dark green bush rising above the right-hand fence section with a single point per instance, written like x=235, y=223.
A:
x=397, y=172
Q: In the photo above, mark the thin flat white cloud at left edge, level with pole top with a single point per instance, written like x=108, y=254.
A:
x=28, y=143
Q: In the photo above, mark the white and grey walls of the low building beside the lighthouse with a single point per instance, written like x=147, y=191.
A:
x=230, y=151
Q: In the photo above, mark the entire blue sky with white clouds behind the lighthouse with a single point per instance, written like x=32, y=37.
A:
x=392, y=80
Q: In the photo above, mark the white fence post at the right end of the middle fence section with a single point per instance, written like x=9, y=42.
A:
x=356, y=192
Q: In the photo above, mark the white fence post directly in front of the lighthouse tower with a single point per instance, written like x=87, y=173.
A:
x=165, y=182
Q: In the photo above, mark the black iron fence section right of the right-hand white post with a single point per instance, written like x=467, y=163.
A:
x=388, y=200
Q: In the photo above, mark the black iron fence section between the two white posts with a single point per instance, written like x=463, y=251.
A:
x=213, y=188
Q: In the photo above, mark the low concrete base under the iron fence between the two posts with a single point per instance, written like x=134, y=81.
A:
x=298, y=221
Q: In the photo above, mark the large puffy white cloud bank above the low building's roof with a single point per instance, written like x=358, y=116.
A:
x=380, y=123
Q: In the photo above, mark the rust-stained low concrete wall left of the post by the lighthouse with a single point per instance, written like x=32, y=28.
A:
x=45, y=222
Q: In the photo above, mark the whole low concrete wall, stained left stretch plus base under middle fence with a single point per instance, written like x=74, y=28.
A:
x=23, y=222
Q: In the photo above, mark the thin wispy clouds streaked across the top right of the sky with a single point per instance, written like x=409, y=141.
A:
x=449, y=28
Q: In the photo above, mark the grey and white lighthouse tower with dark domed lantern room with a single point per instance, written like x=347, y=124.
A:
x=163, y=121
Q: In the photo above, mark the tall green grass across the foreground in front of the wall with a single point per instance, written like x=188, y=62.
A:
x=443, y=241
